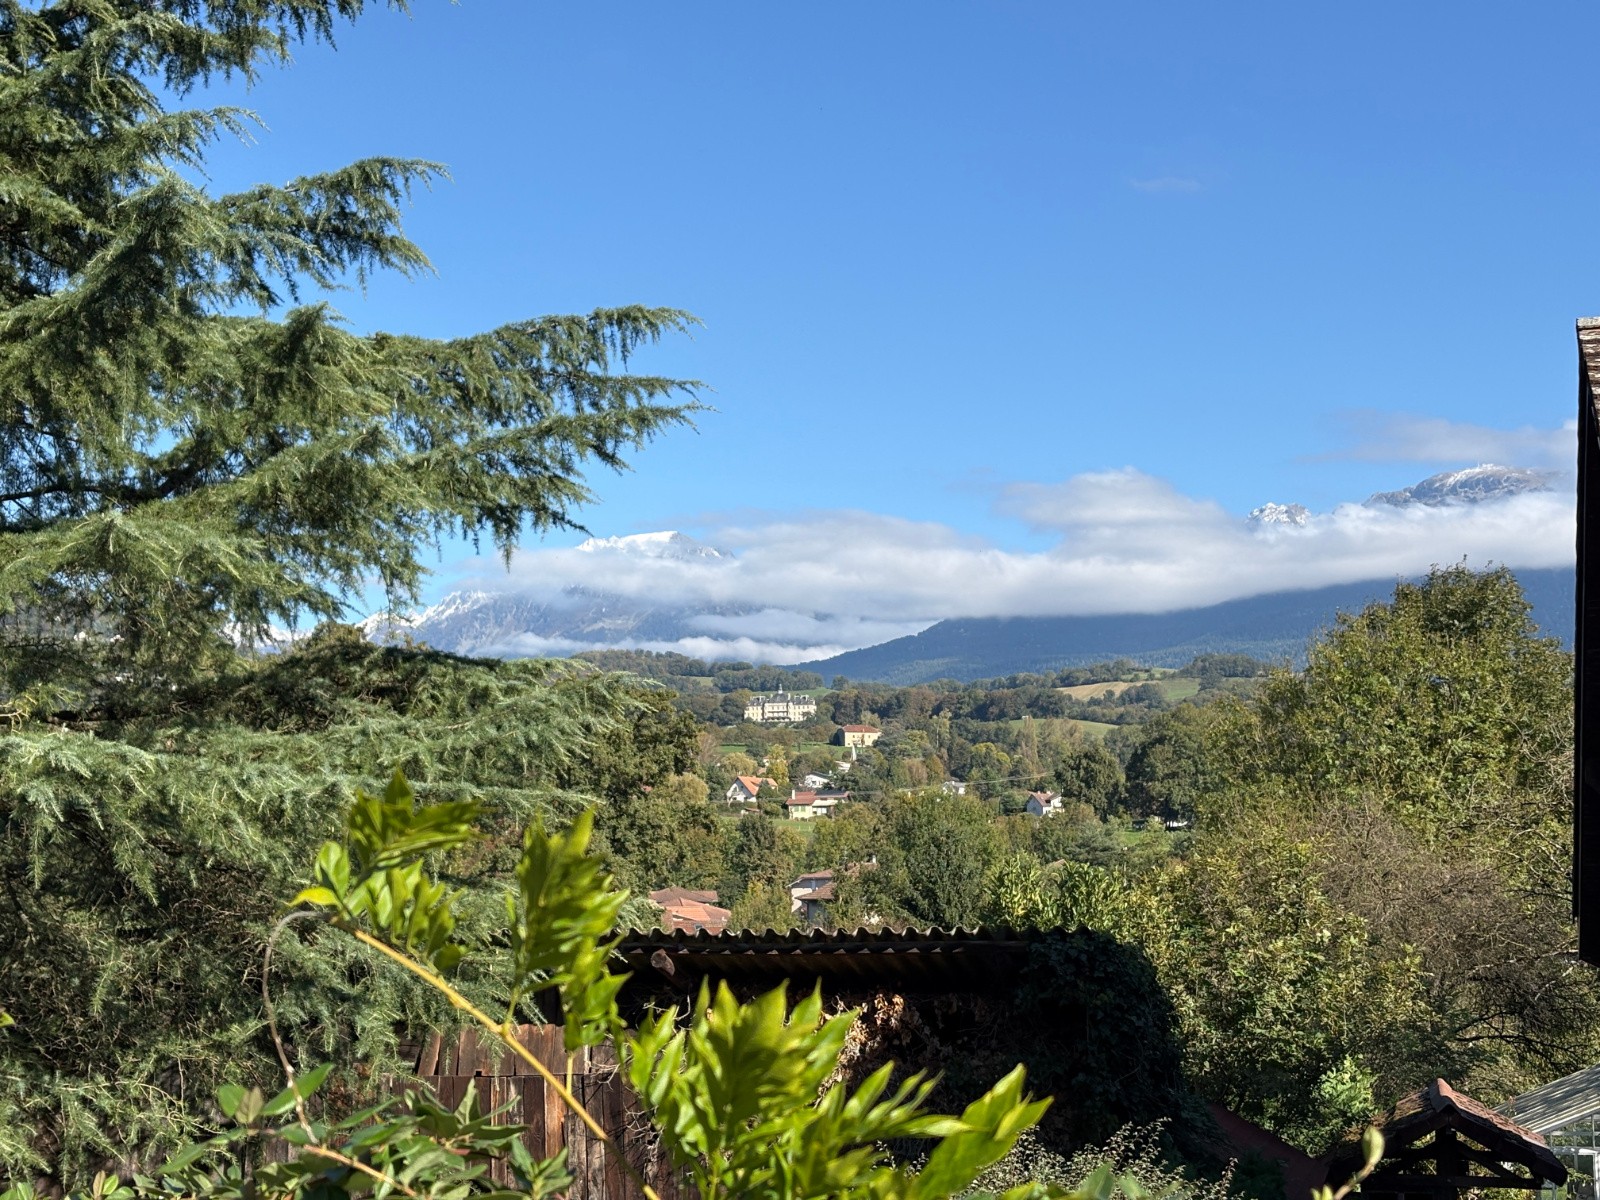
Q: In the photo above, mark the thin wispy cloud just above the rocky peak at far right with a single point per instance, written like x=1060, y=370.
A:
x=1406, y=438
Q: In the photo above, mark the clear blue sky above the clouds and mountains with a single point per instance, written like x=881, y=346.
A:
x=1250, y=252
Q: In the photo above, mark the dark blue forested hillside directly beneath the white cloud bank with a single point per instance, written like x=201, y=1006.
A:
x=1265, y=626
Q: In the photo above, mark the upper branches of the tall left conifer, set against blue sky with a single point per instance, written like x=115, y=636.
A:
x=191, y=439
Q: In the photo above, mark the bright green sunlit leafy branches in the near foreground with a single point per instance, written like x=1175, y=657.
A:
x=745, y=1095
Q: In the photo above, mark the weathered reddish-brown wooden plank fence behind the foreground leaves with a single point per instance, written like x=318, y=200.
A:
x=502, y=1081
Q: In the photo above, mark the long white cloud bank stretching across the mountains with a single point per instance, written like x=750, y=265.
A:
x=804, y=586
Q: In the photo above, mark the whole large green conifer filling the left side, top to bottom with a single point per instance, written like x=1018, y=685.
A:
x=198, y=450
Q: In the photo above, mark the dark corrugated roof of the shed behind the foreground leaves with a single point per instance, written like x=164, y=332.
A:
x=903, y=959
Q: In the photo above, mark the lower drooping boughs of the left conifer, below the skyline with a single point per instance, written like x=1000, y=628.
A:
x=130, y=849
